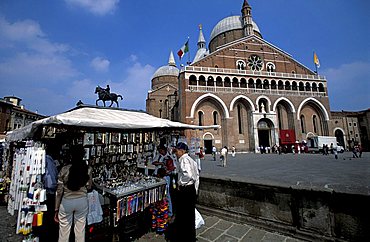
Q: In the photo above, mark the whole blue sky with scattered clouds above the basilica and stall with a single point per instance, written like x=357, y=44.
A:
x=53, y=53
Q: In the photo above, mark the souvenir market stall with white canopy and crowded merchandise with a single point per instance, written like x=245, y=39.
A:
x=119, y=145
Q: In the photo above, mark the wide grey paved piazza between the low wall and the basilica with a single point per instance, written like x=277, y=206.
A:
x=301, y=171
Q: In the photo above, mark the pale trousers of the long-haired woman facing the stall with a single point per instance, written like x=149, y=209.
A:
x=77, y=210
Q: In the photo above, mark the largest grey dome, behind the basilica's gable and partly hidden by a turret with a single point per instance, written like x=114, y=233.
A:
x=230, y=23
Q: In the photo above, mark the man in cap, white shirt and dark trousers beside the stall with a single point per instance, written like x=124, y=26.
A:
x=188, y=183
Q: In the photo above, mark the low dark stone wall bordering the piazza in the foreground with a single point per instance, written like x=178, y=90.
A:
x=309, y=214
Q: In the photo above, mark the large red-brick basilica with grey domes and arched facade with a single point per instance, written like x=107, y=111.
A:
x=258, y=93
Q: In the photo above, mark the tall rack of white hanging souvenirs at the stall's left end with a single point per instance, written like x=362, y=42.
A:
x=26, y=192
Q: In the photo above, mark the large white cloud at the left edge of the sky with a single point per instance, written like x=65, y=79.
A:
x=30, y=57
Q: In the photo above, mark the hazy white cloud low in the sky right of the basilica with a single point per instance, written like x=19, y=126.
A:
x=349, y=86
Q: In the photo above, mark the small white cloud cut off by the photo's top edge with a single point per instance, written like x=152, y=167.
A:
x=97, y=7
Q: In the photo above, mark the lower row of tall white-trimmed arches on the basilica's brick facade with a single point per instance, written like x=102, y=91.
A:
x=258, y=122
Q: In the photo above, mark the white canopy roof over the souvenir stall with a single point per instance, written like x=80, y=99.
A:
x=99, y=117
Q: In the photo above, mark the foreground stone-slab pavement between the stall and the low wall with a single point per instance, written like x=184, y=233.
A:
x=219, y=230
